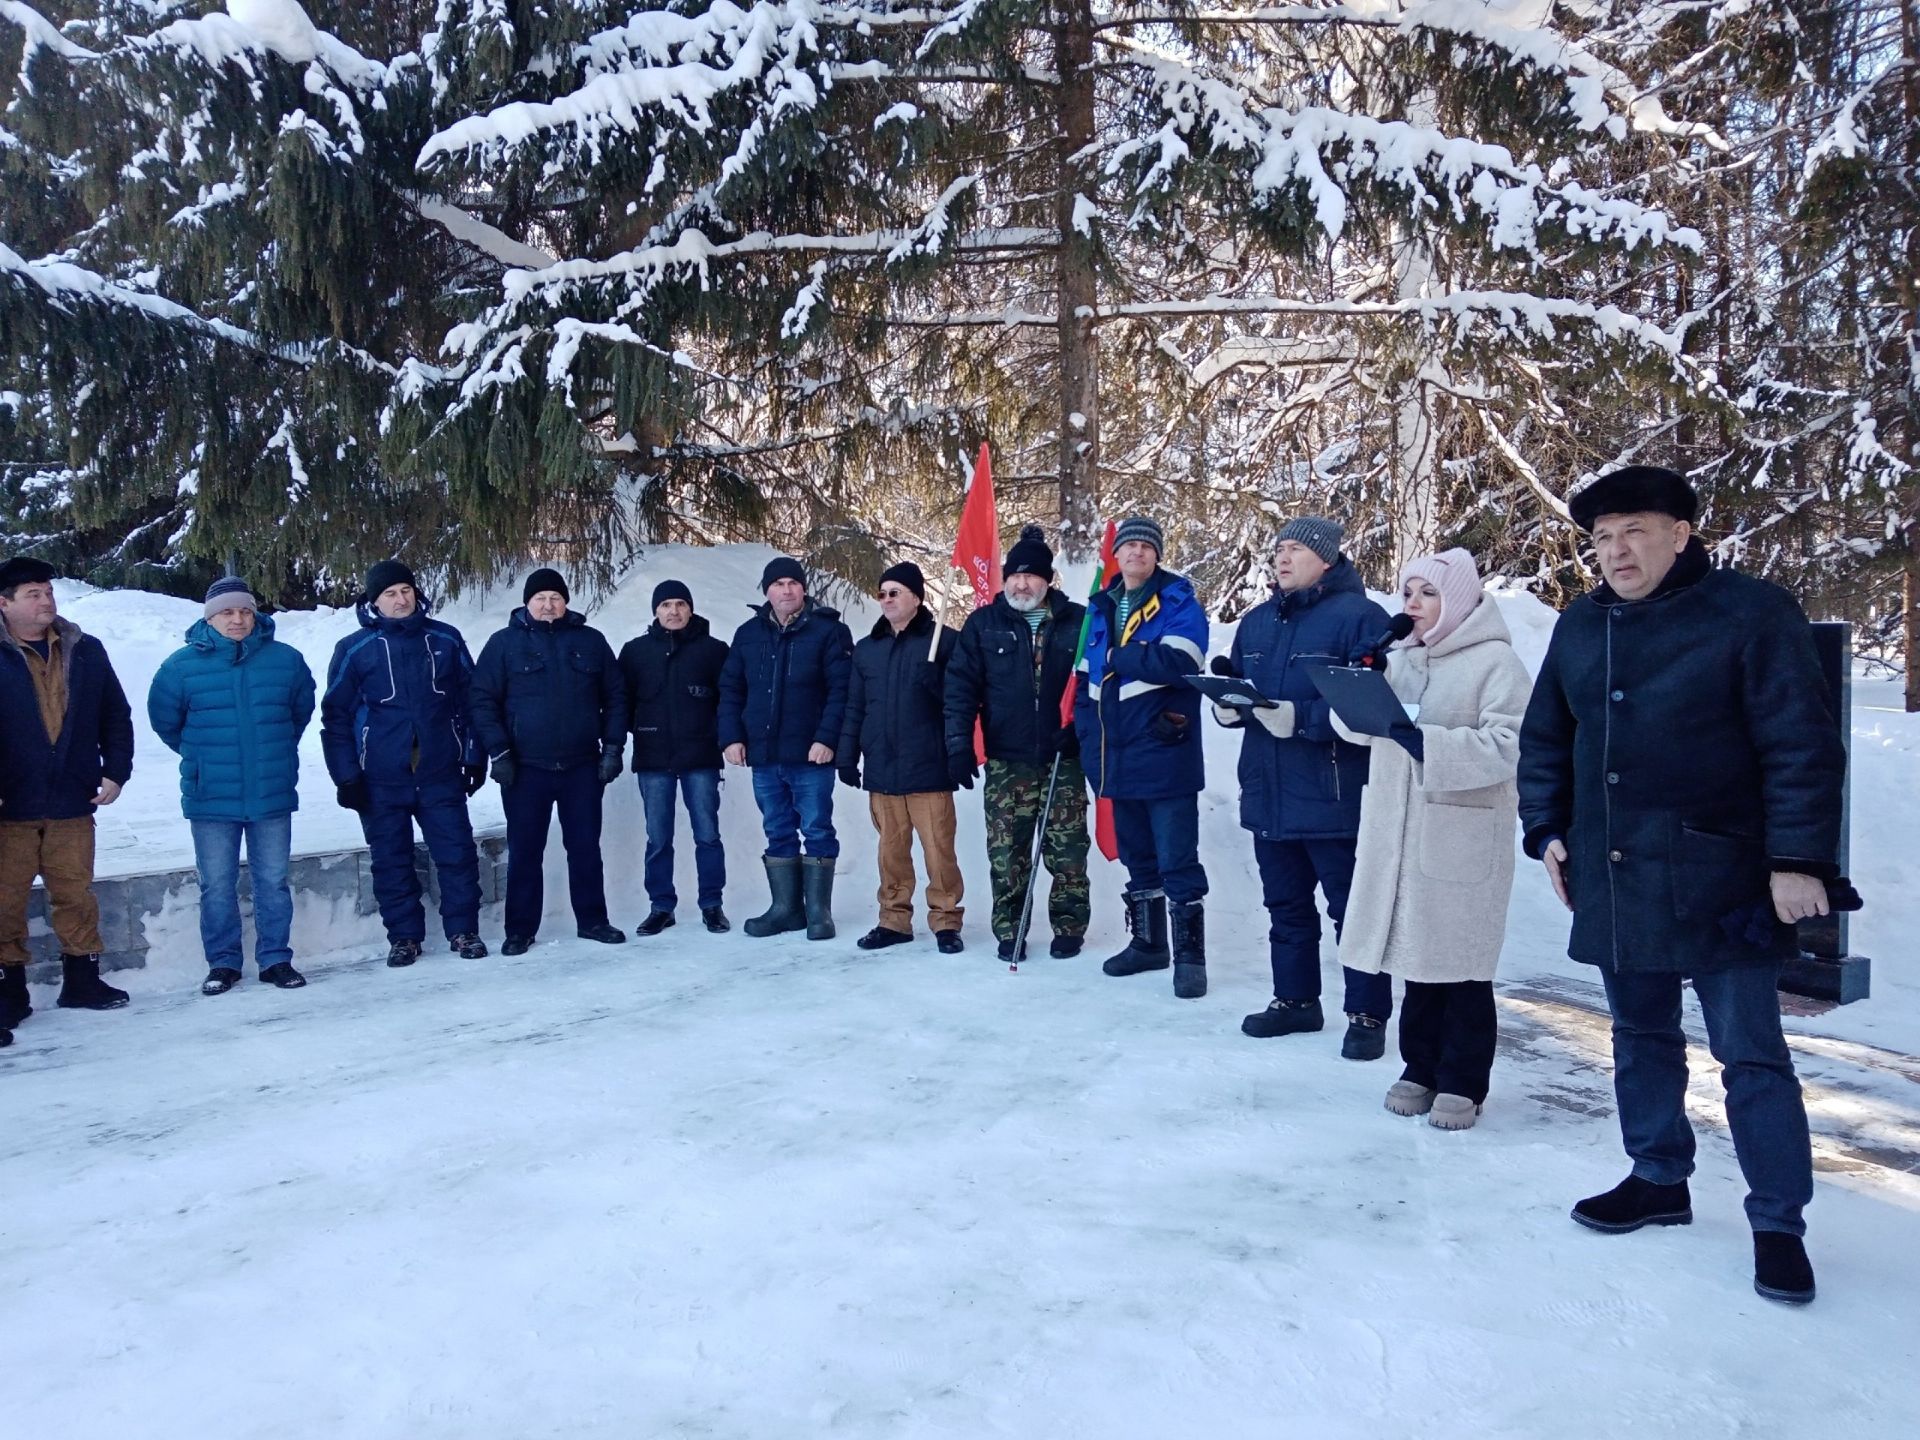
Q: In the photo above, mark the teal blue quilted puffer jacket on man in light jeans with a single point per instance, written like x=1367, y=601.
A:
x=233, y=711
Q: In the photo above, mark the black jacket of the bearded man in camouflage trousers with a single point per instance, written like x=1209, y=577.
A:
x=992, y=679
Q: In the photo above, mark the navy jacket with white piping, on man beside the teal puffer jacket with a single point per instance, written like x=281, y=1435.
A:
x=396, y=702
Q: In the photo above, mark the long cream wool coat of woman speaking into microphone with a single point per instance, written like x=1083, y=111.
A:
x=1435, y=863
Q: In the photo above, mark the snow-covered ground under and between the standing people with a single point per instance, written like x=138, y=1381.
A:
x=727, y=1188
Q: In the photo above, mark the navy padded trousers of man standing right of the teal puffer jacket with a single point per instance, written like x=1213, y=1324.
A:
x=441, y=809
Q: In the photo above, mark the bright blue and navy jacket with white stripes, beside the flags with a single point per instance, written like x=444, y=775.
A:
x=1138, y=719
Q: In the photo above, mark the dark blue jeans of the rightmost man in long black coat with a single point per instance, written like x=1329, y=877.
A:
x=1764, y=1101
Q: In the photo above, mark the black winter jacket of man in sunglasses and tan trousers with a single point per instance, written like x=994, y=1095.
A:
x=894, y=709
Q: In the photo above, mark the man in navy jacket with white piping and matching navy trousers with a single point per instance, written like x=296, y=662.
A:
x=395, y=729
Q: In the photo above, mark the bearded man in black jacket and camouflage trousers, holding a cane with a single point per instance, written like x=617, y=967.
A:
x=1009, y=683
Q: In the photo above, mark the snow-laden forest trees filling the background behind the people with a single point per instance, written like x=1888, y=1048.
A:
x=293, y=289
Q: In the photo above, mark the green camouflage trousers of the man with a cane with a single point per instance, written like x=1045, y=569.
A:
x=1015, y=798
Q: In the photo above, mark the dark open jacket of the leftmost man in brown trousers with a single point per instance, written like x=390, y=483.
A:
x=59, y=780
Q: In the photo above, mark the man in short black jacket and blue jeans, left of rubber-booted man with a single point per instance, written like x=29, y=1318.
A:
x=673, y=694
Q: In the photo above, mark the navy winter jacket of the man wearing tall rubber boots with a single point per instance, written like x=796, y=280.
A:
x=784, y=688
